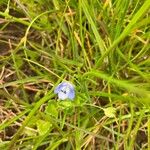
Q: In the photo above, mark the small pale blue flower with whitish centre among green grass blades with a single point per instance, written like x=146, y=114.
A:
x=65, y=90
